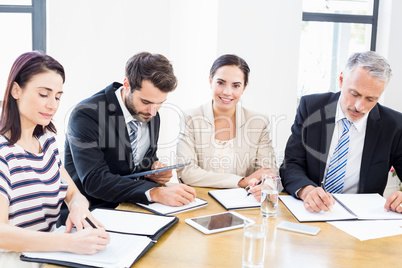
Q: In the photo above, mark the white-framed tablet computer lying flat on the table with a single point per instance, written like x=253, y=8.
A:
x=219, y=222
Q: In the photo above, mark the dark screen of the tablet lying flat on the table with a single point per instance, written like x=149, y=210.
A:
x=219, y=221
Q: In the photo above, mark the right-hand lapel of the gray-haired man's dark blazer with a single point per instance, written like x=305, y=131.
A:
x=373, y=130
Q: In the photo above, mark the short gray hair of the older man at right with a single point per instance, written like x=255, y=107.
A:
x=376, y=65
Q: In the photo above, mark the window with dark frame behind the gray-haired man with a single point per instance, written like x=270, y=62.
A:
x=332, y=30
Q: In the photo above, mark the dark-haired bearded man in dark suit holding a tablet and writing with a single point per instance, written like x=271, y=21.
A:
x=115, y=133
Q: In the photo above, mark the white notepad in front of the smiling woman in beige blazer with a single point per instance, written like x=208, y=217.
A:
x=236, y=198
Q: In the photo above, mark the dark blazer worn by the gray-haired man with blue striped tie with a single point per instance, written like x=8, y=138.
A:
x=307, y=148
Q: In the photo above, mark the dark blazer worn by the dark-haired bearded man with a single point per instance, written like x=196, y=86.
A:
x=98, y=151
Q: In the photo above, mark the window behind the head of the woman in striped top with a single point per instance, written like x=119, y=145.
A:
x=25, y=30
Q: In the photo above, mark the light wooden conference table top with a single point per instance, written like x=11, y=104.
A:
x=184, y=246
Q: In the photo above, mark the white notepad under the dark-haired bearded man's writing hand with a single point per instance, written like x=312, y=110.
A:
x=162, y=209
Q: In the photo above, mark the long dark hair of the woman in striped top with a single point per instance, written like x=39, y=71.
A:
x=24, y=68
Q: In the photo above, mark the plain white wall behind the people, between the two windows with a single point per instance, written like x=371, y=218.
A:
x=94, y=38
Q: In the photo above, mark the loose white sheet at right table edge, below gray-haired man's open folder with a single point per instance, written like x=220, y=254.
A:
x=365, y=229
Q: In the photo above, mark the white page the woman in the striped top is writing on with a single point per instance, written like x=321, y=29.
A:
x=121, y=252
